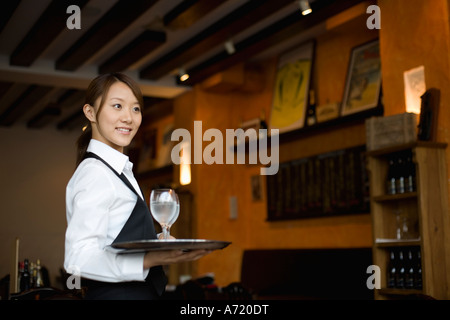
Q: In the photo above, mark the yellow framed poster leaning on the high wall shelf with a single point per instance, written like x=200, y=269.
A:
x=291, y=90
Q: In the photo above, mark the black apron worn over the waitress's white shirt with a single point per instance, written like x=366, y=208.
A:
x=139, y=226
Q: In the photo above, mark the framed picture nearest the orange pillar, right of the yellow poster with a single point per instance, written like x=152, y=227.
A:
x=363, y=83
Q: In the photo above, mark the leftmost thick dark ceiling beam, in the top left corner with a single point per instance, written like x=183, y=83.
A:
x=43, y=32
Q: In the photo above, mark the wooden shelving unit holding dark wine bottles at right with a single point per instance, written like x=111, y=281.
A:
x=427, y=206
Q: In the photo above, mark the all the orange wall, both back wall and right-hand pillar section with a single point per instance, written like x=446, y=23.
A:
x=405, y=43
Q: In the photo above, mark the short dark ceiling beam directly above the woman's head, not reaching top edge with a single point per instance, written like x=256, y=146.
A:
x=147, y=42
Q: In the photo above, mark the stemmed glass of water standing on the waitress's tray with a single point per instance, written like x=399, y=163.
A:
x=163, y=205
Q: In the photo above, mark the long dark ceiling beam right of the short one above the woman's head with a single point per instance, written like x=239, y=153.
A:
x=240, y=19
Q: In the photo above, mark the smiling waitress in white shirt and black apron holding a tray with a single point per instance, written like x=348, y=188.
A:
x=104, y=203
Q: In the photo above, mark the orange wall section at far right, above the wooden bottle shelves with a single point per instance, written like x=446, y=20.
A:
x=416, y=33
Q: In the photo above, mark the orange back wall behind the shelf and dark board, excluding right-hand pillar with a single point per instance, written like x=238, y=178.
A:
x=215, y=184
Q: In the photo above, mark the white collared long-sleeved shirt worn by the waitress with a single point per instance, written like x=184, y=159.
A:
x=98, y=204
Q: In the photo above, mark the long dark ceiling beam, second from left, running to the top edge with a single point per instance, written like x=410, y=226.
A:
x=117, y=19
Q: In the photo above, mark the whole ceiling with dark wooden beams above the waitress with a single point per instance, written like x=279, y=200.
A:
x=45, y=66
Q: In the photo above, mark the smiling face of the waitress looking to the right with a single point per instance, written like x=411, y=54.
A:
x=119, y=119
